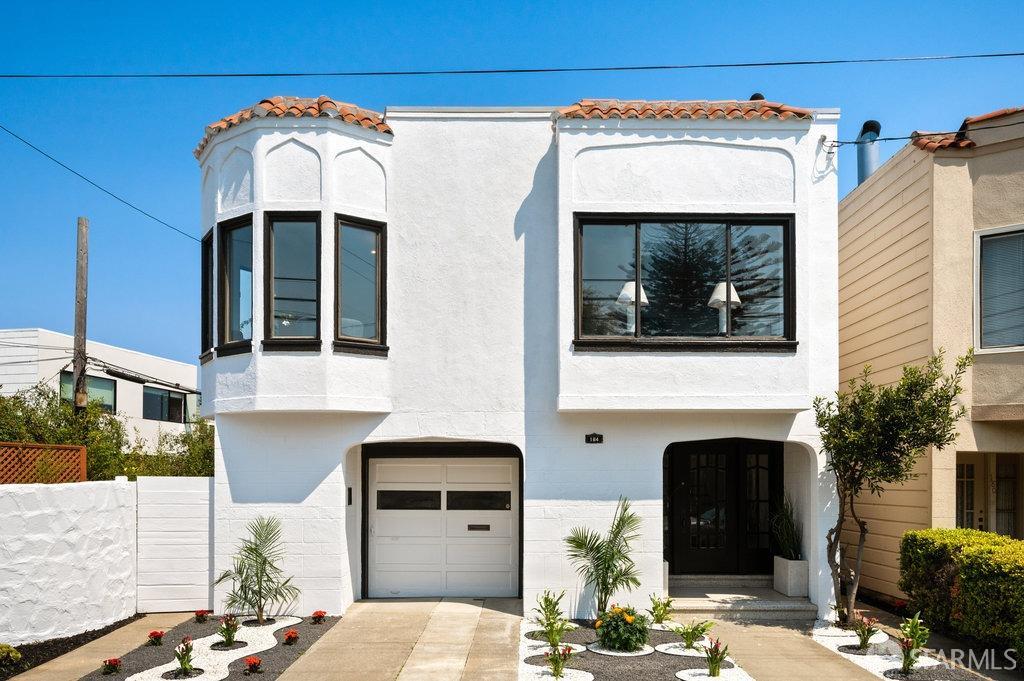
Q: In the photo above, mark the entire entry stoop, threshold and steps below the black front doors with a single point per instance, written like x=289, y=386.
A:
x=735, y=598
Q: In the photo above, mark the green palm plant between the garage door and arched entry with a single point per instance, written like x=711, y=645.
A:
x=604, y=562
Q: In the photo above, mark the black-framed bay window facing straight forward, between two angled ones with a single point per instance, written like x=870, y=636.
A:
x=291, y=276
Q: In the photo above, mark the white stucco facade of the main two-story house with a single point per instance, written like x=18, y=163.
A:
x=479, y=207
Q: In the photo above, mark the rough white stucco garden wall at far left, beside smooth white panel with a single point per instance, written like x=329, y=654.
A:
x=67, y=559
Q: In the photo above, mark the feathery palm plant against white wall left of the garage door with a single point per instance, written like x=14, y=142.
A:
x=258, y=582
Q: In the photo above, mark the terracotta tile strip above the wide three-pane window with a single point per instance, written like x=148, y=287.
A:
x=750, y=110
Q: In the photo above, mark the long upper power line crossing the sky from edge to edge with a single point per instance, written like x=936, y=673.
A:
x=524, y=70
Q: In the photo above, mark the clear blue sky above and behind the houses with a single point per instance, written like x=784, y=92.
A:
x=137, y=137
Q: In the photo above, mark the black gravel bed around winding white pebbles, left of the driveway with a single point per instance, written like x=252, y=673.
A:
x=276, y=661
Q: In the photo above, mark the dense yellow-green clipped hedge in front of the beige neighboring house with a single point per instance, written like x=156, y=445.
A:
x=966, y=582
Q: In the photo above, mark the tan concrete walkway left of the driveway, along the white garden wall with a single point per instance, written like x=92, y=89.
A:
x=88, y=659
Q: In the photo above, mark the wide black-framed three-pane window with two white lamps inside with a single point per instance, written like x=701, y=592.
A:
x=704, y=282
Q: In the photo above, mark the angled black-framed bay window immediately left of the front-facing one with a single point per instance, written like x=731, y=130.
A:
x=236, y=290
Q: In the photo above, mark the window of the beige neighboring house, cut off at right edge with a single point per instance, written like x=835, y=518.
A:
x=1002, y=290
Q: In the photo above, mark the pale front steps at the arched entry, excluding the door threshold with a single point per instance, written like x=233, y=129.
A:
x=740, y=604
